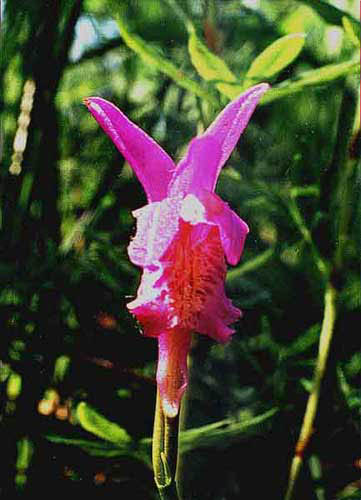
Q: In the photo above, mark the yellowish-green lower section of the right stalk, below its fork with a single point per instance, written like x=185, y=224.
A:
x=312, y=404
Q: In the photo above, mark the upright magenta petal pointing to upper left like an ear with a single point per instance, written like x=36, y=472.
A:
x=149, y=161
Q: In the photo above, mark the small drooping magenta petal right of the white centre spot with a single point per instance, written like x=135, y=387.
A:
x=233, y=230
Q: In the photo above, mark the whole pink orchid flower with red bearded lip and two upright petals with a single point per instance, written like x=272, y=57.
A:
x=184, y=235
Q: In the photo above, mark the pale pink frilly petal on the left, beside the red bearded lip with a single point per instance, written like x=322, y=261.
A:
x=157, y=224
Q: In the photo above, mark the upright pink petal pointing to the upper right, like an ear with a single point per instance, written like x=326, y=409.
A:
x=231, y=122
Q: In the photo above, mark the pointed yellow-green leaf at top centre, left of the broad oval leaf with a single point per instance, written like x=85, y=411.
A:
x=208, y=65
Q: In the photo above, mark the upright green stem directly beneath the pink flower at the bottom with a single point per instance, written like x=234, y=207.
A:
x=164, y=452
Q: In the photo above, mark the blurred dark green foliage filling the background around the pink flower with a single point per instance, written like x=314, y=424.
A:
x=72, y=360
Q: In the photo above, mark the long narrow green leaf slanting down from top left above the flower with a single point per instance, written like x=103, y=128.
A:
x=155, y=59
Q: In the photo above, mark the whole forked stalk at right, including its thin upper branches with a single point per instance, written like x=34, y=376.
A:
x=344, y=166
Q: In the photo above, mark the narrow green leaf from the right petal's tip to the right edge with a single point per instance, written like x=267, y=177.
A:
x=320, y=76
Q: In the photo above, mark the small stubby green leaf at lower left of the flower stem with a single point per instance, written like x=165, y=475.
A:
x=98, y=425
